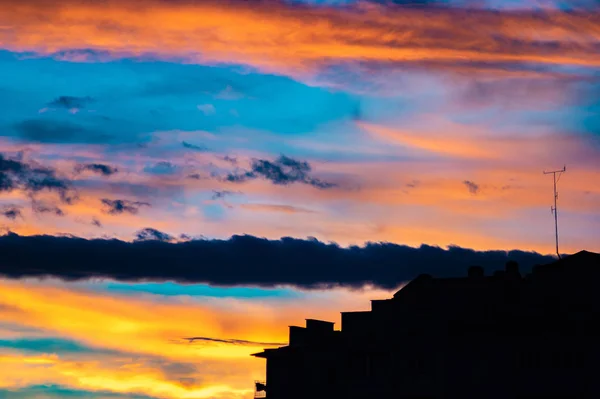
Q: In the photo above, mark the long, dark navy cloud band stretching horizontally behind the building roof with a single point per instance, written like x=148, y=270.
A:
x=243, y=260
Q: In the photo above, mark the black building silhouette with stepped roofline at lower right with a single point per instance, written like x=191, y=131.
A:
x=499, y=336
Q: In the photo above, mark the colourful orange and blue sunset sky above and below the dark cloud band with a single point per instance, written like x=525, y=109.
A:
x=341, y=121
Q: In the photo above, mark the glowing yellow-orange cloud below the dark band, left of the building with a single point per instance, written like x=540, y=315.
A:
x=136, y=341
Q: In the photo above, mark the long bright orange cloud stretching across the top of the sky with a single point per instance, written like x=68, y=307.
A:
x=295, y=39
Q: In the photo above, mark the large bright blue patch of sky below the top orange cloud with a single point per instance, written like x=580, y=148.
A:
x=133, y=99
